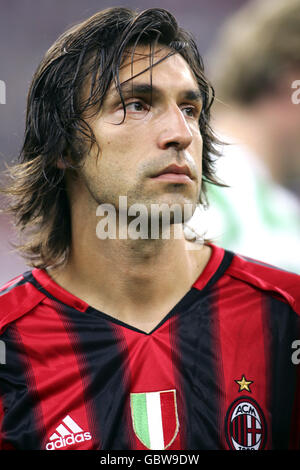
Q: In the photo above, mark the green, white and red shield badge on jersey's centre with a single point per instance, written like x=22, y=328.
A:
x=154, y=417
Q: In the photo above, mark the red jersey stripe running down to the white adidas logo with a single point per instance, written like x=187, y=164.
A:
x=56, y=375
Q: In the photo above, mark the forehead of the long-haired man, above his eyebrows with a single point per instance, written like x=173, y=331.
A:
x=172, y=71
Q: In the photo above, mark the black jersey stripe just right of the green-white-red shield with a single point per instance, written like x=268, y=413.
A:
x=197, y=372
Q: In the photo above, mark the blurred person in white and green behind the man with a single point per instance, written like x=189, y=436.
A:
x=254, y=66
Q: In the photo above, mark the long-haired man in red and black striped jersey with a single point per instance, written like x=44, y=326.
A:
x=119, y=341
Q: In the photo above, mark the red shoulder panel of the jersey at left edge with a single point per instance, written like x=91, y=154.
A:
x=18, y=297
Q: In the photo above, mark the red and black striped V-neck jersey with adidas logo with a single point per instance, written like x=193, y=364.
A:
x=220, y=371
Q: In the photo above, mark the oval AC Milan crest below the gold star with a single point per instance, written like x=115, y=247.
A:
x=245, y=425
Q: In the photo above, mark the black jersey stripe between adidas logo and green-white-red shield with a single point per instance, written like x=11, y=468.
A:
x=99, y=355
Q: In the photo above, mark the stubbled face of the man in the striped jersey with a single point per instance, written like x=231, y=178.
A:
x=158, y=131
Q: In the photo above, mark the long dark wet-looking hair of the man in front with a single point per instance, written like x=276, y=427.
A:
x=90, y=52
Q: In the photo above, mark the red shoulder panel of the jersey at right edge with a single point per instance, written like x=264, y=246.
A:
x=278, y=282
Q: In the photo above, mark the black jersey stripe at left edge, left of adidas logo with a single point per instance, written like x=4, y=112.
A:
x=19, y=399
